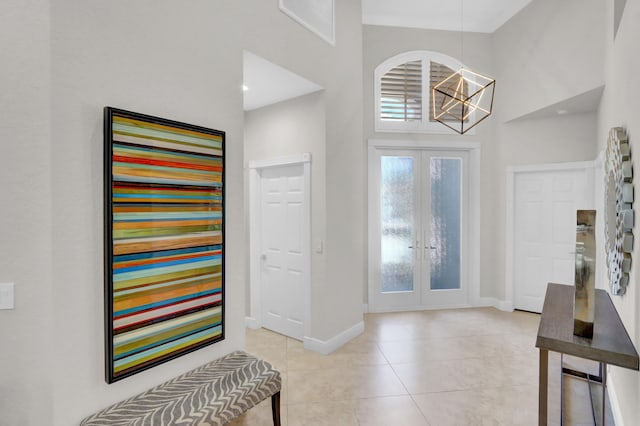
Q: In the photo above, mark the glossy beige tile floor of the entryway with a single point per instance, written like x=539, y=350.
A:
x=435, y=368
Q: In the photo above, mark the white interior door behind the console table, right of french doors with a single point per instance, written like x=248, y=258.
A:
x=545, y=204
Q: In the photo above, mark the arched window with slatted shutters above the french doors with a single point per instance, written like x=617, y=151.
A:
x=403, y=91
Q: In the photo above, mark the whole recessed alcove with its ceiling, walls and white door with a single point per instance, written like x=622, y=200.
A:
x=284, y=128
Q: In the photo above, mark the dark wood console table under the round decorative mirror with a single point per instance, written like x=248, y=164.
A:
x=610, y=344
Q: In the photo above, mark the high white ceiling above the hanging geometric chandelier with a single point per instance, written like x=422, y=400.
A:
x=483, y=16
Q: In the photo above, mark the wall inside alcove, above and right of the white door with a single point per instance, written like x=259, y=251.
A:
x=289, y=128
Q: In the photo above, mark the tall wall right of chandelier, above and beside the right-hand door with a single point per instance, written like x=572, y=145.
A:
x=548, y=53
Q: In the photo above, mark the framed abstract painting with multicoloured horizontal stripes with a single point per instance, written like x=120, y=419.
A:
x=164, y=240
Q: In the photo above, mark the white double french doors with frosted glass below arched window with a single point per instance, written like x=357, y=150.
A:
x=419, y=226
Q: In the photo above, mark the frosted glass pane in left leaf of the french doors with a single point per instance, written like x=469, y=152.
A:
x=397, y=206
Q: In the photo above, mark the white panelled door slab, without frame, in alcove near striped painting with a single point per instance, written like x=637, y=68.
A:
x=283, y=250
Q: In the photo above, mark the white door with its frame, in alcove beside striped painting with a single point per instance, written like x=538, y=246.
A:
x=280, y=226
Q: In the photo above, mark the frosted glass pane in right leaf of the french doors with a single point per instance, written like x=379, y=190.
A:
x=446, y=196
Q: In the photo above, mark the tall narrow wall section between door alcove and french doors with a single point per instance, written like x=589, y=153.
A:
x=339, y=302
